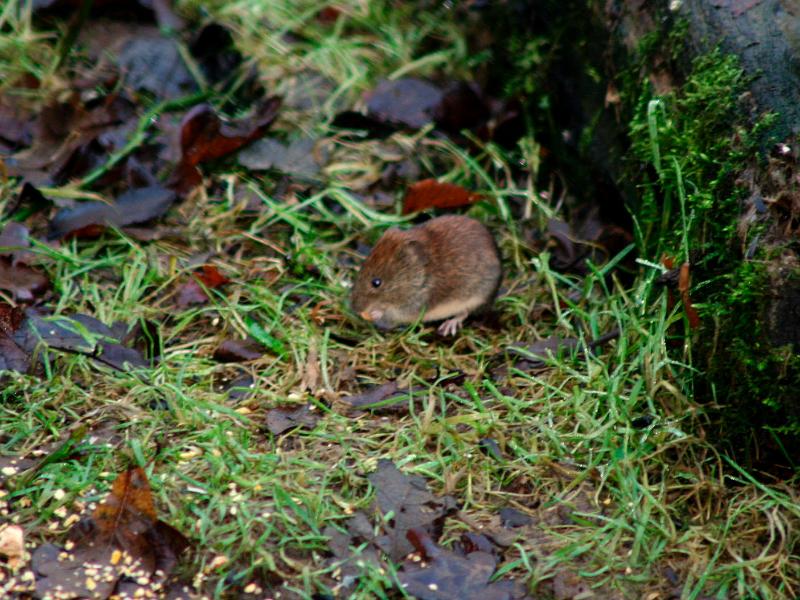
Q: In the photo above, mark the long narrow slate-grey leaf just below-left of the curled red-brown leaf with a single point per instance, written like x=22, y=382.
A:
x=89, y=219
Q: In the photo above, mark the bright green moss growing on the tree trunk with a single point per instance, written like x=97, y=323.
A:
x=695, y=140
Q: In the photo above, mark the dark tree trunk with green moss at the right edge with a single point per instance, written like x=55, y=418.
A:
x=713, y=87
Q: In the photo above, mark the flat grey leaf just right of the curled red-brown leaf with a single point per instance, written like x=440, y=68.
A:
x=299, y=158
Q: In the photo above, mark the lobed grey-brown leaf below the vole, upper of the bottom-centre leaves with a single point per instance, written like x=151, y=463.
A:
x=411, y=504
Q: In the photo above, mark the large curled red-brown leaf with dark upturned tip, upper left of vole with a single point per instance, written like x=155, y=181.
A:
x=204, y=136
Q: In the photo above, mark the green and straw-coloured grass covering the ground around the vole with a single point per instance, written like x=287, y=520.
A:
x=613, y=504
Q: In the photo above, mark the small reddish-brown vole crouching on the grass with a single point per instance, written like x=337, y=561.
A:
x=445, y=268
